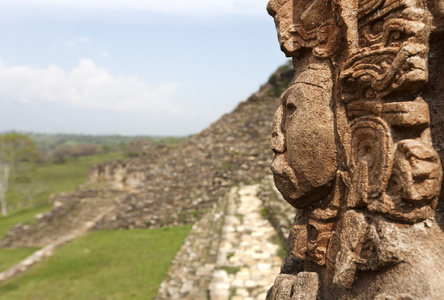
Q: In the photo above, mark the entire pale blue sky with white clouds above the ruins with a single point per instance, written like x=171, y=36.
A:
x=130, y=67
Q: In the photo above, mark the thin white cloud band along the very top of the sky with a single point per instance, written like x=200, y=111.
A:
x=175, y=7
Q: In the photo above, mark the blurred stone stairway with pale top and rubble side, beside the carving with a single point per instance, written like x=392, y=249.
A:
x=231, y=253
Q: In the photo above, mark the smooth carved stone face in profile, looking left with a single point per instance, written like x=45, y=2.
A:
x=303, y=136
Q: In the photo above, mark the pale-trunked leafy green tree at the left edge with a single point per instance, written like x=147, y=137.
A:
x=14, y=147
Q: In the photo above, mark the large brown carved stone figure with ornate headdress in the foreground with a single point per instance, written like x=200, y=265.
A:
x=357, y=139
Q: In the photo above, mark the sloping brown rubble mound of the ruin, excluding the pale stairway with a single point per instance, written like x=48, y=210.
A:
x=168, y=185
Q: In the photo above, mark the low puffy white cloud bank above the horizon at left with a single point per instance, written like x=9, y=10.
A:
x=86, y=86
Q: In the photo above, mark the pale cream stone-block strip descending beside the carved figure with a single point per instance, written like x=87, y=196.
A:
x=247, y=262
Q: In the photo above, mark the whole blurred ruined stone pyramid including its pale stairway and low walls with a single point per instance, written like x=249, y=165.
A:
x=211, y=180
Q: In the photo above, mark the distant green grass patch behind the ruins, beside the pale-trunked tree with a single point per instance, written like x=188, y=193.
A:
x=53, y=178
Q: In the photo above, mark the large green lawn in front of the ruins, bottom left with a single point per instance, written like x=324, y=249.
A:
x=102, y=265
